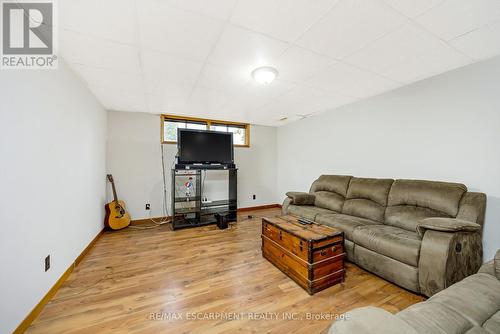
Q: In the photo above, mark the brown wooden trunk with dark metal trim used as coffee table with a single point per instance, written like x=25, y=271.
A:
x=311, y=255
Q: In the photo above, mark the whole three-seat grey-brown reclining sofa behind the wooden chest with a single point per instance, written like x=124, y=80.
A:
x=421, y=235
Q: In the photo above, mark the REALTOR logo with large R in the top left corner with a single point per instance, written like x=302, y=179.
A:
x=28, y=34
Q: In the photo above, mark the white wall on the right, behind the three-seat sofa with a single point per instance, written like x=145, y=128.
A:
x=443, y=128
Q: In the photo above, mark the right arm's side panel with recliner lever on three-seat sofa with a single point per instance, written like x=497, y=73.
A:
x=446, y=258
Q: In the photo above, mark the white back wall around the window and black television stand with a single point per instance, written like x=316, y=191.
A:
x=134, y=159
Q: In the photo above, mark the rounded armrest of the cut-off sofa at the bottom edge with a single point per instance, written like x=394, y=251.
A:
x=370, y=320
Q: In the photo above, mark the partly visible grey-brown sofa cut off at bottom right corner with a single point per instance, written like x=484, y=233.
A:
x=471, y=306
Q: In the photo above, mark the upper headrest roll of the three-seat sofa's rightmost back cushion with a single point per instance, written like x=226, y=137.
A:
x=440, y=196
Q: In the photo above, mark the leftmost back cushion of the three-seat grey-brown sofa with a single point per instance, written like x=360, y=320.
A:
x=330, y=191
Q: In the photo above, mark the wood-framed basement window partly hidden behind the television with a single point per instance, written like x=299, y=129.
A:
x=170, y=124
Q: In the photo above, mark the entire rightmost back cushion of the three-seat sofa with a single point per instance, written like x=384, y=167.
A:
x=412, y=200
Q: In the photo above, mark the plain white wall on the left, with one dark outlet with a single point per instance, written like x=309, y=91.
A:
x=52, y=182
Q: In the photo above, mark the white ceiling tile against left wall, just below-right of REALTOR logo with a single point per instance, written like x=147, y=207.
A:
x=112, y=79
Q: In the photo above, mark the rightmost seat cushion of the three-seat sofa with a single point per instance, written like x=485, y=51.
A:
x=393, y=242
